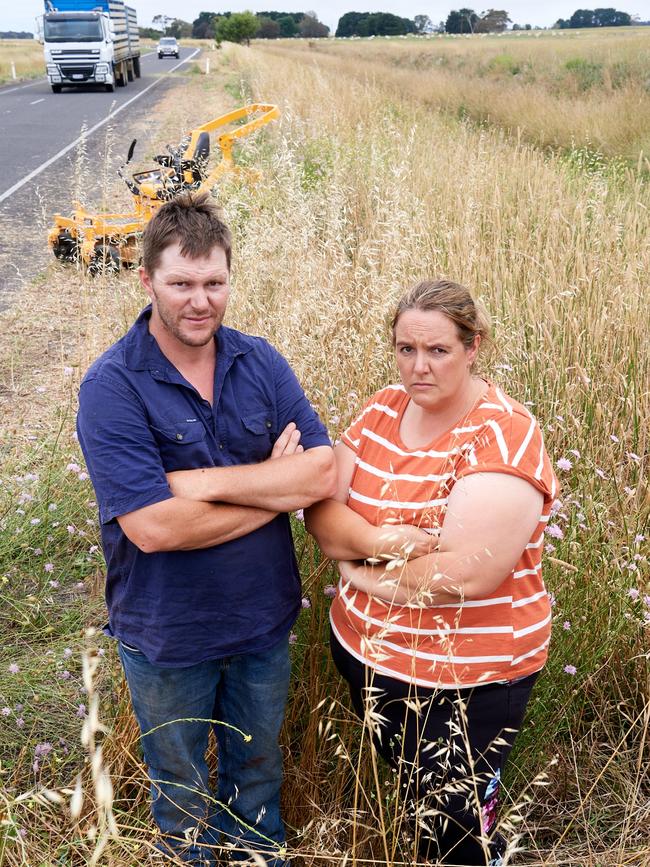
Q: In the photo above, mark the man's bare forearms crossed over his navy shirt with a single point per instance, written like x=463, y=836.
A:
x=215, y=505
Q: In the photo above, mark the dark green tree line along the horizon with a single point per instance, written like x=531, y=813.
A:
x=244, y=26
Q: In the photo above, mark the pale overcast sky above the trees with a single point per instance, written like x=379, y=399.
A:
x=20, y=14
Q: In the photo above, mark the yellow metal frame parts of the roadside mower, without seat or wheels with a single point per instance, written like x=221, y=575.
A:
x=121, y=231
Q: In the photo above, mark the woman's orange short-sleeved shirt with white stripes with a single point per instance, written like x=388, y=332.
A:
x=503, y=636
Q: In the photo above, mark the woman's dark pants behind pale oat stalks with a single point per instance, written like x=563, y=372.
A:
x=449, y=747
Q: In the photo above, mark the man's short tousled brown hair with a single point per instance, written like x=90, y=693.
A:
x=190, y=220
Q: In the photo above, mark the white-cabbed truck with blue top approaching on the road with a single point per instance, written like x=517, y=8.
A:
x=89, y=42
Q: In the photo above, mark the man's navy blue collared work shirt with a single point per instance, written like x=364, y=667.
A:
x=140, y=418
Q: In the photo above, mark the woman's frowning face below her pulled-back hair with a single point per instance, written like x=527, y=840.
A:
x=433, y=363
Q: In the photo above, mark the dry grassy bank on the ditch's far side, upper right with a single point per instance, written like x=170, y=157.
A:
x=558, y=91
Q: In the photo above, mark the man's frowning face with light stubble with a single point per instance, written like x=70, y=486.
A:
x=189, y=296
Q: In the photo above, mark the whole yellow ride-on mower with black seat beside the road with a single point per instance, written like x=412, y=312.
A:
x=109, y=241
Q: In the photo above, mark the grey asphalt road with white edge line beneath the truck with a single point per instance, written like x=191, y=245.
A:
x=56, y=147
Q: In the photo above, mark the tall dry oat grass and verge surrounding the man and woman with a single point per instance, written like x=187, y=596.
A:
x=364, y=190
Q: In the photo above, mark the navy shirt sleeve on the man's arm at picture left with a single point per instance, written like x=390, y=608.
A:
x=121, y=452
